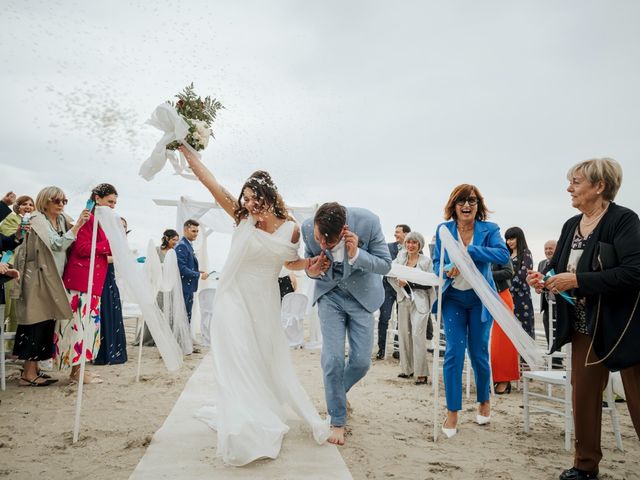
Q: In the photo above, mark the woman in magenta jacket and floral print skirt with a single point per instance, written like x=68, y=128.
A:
x=73, y=336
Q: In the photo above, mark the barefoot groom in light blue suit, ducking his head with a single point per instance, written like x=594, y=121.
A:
x=348, y=256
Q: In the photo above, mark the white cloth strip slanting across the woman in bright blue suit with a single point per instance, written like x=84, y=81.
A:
x=511, y=326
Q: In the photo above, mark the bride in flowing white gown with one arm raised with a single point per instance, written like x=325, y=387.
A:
x=256, y=387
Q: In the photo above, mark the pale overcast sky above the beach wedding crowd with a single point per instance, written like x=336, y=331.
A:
x=378, y=104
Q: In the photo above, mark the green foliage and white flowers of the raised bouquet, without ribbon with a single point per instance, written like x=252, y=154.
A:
x=199, y=114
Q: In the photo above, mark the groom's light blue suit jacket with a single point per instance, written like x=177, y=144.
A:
x=362, y=279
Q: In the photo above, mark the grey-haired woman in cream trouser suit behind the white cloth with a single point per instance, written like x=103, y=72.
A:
x=414, y=306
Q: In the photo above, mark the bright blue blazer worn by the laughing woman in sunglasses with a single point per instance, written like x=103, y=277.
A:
x=487, y=247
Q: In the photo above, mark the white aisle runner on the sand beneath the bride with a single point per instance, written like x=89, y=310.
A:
x=185, y=447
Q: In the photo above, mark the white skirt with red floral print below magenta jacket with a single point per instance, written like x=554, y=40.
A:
x=70, y=335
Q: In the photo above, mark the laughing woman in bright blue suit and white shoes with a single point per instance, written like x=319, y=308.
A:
x=467, y=322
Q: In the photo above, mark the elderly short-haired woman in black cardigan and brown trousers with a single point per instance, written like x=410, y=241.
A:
x=597, y=266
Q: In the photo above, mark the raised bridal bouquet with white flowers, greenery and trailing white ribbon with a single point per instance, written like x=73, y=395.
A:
x=186, y=122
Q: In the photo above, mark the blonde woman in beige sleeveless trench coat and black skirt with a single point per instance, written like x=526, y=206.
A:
x=39, y=293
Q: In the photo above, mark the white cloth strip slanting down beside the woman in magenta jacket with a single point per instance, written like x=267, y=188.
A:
x=139, y=287
